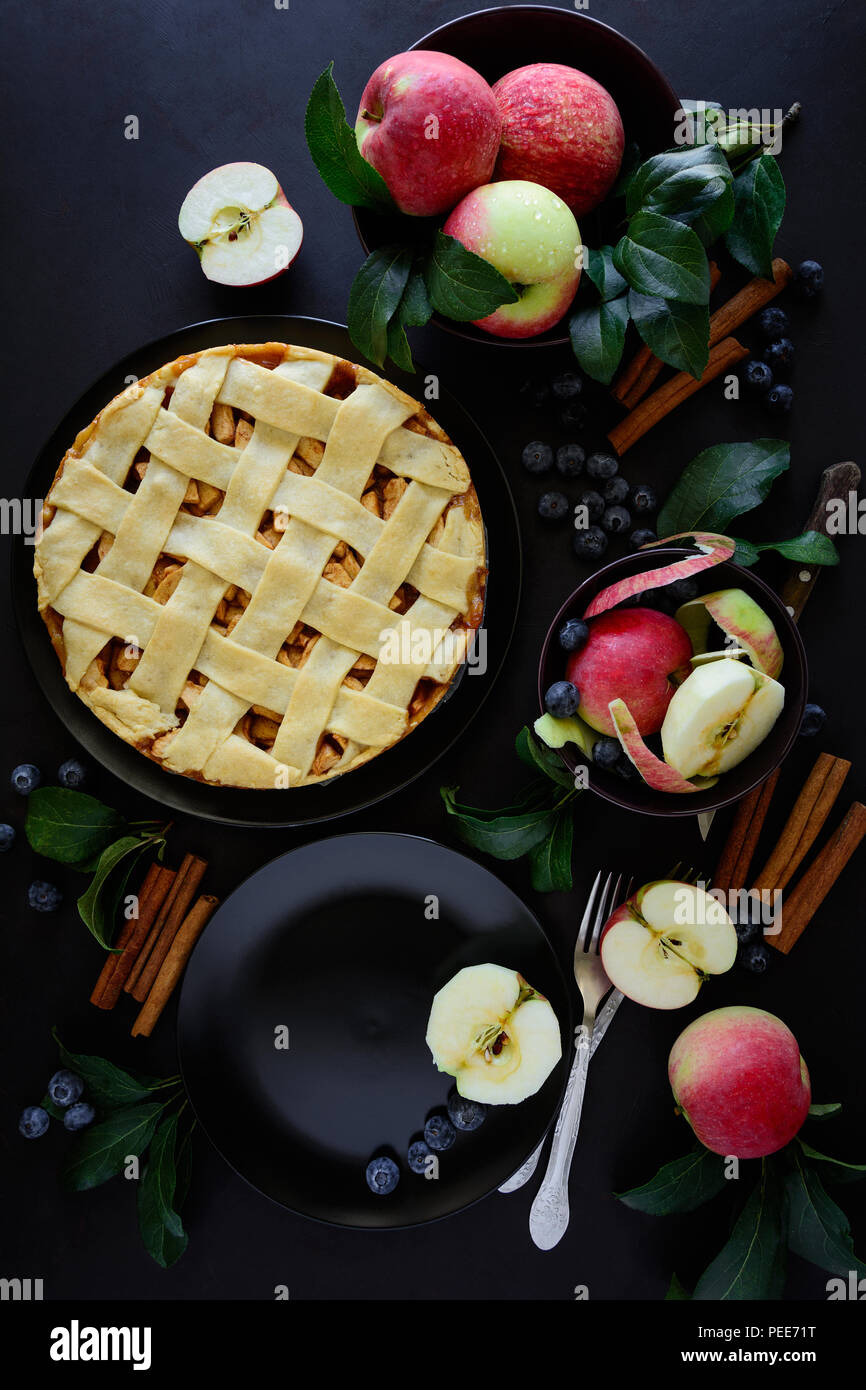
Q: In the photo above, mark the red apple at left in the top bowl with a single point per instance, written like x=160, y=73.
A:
x=430, y=126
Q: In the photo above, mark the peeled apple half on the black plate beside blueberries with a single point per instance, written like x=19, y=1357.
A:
x=494, y=1033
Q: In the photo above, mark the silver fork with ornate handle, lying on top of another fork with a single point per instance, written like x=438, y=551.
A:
x=550, y=1213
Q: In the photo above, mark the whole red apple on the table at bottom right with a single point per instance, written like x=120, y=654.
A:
x=740, y=1081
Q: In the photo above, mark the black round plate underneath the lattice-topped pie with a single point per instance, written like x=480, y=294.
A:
x=389, y=772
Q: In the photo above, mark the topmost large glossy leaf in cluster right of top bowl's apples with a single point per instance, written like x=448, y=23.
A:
x=682, y=183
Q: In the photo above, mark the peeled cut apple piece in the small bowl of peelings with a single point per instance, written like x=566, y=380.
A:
x=721, y=714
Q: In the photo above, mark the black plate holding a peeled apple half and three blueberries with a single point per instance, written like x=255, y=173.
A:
x=336, y=943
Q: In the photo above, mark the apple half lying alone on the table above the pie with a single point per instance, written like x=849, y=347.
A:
x=241, y=224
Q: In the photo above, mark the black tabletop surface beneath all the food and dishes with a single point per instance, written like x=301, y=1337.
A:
x=95, y=268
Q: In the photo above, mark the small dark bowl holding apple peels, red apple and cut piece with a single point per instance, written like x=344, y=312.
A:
x=739, y=782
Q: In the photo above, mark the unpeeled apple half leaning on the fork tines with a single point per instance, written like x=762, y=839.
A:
x=665, y=942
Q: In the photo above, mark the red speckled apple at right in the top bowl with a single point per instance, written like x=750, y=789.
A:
x=559, y=129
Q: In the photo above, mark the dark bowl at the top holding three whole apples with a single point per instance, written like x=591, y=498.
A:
x=496, y=42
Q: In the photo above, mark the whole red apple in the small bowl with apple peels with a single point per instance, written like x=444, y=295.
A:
x=630, y=655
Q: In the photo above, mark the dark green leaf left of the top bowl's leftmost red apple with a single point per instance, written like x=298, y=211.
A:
x=336, y=154
